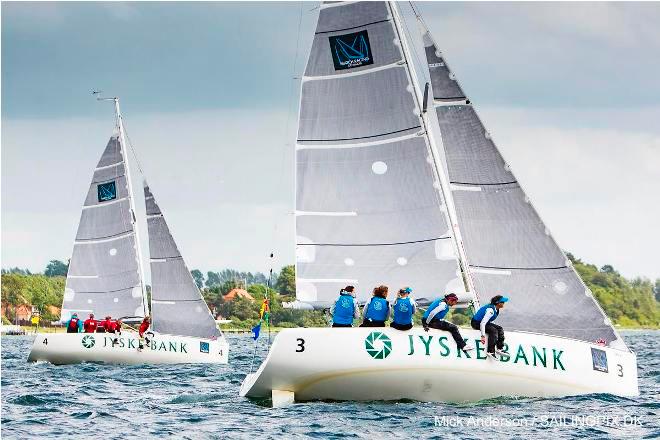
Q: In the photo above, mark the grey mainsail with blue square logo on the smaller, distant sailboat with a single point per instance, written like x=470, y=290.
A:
x=104, y=272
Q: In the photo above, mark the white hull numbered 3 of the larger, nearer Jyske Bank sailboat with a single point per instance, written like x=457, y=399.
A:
x=325, y=363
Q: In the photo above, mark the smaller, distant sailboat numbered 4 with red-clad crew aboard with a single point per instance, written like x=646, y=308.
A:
x=106, y=277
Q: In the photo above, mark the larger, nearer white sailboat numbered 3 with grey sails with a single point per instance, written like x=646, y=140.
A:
x=401, y=185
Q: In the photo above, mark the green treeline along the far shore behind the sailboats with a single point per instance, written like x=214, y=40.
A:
x=629, y=303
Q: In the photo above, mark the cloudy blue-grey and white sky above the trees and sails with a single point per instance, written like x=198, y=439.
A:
x=209, y=93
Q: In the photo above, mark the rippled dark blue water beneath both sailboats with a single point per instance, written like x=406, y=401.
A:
x=202, y=402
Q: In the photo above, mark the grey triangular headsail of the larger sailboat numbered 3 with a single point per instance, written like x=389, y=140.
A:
x=509, y=249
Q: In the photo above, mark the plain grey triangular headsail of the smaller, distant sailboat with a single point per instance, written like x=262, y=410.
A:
x=177, y=306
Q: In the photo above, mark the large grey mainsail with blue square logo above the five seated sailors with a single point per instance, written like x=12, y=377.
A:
x=369, y=207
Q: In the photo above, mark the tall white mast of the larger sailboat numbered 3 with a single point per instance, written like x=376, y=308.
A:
x=444, y=181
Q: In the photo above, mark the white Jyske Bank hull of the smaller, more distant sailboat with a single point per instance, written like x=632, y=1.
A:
x=72, y=348
